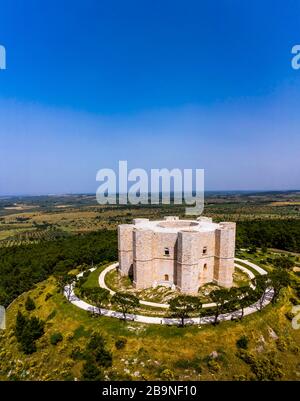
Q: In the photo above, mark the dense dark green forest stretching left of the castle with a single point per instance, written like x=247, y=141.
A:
x=23, y=266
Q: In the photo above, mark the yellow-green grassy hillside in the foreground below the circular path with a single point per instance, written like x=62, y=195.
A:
x=152, y=352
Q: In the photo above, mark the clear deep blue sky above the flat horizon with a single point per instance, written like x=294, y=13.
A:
x=188, y=84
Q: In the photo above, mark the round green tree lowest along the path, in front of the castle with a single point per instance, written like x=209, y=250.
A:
x=183, y=305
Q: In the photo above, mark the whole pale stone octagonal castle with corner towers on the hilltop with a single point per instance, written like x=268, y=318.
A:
x=182, y=254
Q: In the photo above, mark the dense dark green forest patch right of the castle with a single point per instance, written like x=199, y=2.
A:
x=280, y=234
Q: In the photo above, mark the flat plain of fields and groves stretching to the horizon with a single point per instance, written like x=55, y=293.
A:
x=72, y=214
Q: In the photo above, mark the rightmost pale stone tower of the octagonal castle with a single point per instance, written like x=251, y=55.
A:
x=224, y=254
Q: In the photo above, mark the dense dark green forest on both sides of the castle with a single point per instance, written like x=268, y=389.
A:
x=24, y=265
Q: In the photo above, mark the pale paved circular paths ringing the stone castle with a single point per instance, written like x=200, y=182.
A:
x=70, y=295
